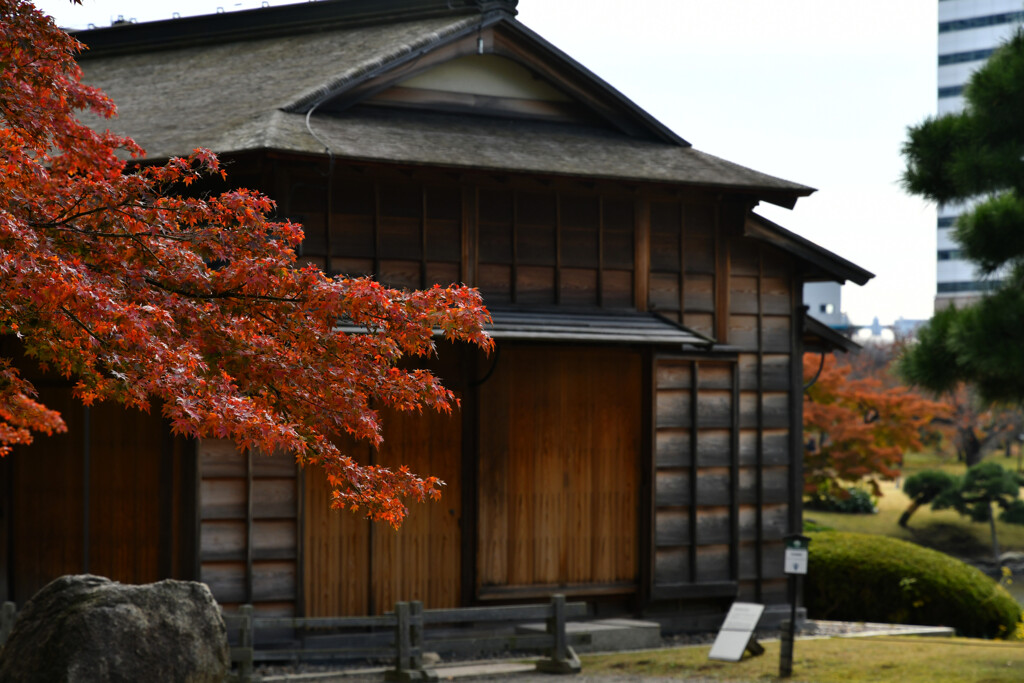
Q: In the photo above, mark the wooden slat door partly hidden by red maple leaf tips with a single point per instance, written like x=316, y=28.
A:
x=355, y=568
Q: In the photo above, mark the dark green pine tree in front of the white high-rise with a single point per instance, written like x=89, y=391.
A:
x=977, y=157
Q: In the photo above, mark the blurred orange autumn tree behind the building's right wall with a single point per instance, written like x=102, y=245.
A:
x=858, y=430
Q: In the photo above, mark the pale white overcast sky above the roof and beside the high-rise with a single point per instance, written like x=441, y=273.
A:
x=816, y=92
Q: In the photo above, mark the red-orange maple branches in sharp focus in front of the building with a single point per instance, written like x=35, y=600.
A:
x=111, y=276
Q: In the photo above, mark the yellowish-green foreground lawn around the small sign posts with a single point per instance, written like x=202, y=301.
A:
x=908, y=660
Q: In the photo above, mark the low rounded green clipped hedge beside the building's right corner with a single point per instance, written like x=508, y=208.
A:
x=863, y=578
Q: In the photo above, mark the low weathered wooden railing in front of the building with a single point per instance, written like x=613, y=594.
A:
x=410, y=631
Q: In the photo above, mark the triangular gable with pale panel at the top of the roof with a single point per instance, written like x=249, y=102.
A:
x=496, y=68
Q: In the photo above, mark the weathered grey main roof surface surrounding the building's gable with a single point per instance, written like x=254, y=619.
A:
x=236, y=97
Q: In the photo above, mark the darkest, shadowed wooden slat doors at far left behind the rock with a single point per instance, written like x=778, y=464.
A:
x=50, y=506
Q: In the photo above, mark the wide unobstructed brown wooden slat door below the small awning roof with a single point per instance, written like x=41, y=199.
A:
x=560, y=449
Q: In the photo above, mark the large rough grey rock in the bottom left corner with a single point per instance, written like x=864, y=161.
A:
x=88, y=629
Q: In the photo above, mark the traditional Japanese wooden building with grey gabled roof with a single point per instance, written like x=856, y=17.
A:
x=635, y=440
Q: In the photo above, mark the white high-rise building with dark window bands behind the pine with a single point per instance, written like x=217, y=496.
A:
x=969, y=32
